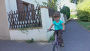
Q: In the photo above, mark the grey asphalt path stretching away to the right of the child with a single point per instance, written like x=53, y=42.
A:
x=76, y=38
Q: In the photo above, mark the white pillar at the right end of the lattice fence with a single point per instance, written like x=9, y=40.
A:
x=45, y=17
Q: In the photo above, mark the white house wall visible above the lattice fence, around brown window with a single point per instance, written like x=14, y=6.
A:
x=12, y=5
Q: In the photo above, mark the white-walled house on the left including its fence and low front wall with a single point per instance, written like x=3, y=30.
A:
x=17, y=14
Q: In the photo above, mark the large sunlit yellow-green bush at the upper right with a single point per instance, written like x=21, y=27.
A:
x=83, y=10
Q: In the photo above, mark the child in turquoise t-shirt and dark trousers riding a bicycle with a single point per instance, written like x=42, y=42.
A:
x=59, y=27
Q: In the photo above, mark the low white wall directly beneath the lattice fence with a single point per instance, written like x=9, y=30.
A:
x=36, y=34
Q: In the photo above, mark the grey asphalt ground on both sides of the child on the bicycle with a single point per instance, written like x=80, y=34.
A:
x=76, y=38
